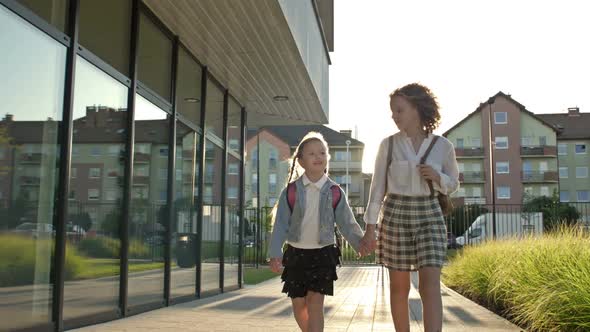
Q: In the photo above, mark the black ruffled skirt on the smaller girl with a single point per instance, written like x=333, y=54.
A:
x=309, y=270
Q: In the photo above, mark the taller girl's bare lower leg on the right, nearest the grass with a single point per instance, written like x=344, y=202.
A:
x=431, y=298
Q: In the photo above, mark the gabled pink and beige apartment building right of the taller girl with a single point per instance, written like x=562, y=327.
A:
x=518, y=146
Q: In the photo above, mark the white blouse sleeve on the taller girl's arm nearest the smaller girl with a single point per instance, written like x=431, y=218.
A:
x=378, y=190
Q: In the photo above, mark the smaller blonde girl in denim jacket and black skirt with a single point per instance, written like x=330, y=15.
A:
x=308, y=227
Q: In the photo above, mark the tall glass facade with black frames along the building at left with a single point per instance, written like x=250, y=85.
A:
x=50, y=105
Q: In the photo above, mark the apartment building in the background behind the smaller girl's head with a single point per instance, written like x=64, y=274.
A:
x=269, y=150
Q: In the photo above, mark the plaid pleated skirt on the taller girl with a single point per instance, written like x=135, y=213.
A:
x=412, y=233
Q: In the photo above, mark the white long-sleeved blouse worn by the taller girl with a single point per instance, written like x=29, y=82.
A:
x=403, y=177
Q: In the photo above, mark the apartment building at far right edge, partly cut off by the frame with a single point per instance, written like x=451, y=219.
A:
x=573, y=140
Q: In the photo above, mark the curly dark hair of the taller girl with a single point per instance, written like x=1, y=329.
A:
x=425, y=102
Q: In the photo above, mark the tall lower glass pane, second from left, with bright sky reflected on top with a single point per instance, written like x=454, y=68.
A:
x=94, y=133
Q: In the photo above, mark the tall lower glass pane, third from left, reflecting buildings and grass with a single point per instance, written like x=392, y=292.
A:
x=149, y=218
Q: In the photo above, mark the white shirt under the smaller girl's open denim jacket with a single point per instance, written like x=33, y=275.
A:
x=310, y=225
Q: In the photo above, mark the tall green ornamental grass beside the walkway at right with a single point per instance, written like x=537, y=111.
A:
x=541, y=283
